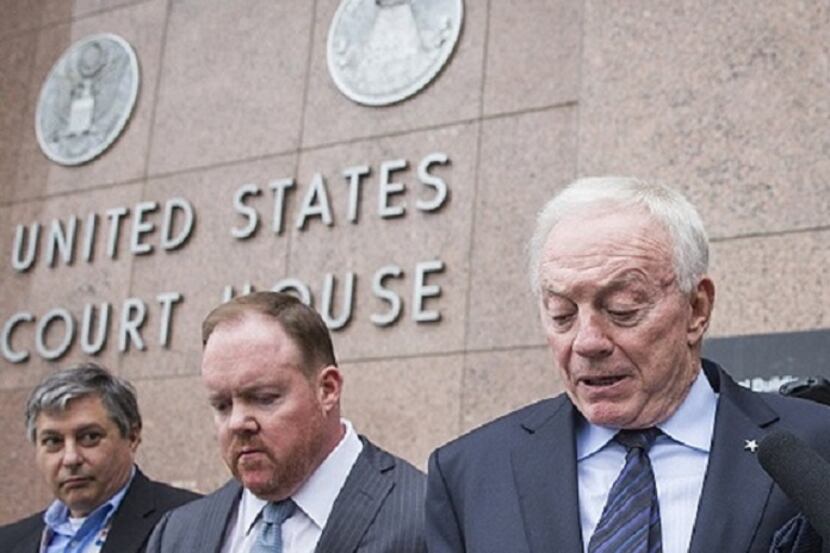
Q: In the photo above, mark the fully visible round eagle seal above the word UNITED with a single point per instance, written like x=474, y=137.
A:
x=87, y=99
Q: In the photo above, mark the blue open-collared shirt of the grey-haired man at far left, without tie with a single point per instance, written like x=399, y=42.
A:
x=62, y=536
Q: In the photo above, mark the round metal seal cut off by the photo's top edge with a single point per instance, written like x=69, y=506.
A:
x=383, y=51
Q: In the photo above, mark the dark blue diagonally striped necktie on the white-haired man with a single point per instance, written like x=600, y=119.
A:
x=630, y=521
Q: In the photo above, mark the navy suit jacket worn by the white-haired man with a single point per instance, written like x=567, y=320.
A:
x=511, y=485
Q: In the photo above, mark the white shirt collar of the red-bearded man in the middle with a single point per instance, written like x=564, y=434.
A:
x=316, y=495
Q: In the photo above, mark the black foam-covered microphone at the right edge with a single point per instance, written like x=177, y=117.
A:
x=803, y=475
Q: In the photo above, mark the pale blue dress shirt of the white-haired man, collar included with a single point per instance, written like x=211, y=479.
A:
x=678, y=457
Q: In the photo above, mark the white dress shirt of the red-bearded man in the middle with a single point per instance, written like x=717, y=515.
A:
x=314, y=500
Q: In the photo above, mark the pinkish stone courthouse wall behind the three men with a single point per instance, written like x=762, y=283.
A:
x=727, y=100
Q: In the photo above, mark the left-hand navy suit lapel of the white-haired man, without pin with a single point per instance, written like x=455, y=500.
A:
x=544, y=469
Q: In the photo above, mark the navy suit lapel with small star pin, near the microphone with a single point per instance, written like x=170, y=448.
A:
x=735, y=489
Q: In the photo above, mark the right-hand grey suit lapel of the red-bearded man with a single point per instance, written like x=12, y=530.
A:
x=364, y=491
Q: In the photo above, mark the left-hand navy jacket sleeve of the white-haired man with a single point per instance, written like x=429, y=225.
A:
x=443, y=531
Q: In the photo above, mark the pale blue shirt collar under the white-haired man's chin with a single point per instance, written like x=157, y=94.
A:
x=691, y=425
